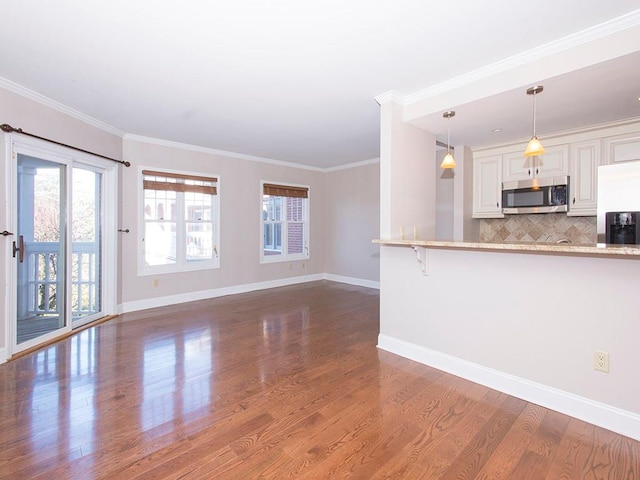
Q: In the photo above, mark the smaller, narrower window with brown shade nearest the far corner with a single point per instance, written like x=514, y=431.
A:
x=285, y=222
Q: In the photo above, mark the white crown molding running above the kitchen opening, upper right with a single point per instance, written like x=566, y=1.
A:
x=619, y=24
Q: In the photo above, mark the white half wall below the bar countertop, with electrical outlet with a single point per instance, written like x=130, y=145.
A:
x=526, y=324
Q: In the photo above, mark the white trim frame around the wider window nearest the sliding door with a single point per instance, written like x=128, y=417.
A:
x=147, y=270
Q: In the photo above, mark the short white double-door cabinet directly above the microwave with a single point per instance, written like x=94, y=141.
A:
x=555, y=162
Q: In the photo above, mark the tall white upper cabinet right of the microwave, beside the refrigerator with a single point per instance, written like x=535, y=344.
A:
x=586, y=157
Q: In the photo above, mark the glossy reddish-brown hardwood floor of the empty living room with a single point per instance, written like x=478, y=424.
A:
x=276, y=384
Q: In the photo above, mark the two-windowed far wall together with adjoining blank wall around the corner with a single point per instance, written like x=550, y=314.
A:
x=343, y=222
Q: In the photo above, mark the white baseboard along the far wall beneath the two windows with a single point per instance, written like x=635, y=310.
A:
x=213, y=293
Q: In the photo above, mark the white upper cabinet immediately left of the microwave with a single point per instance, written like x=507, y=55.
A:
x=487, y=187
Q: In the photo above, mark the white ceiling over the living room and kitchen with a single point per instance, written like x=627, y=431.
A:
x=295, y=80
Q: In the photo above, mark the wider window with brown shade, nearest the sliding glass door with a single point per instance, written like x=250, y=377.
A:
x=180, y=222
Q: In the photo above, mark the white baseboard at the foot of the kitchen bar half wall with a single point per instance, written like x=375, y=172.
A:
x=597, y=413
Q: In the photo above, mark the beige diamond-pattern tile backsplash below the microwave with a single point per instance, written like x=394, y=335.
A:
x=541, y=228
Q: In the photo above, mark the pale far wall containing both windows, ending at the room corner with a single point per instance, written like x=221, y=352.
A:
x=239, y=189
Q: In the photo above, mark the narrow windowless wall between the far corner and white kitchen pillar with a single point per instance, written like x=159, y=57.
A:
x=352, y=207
